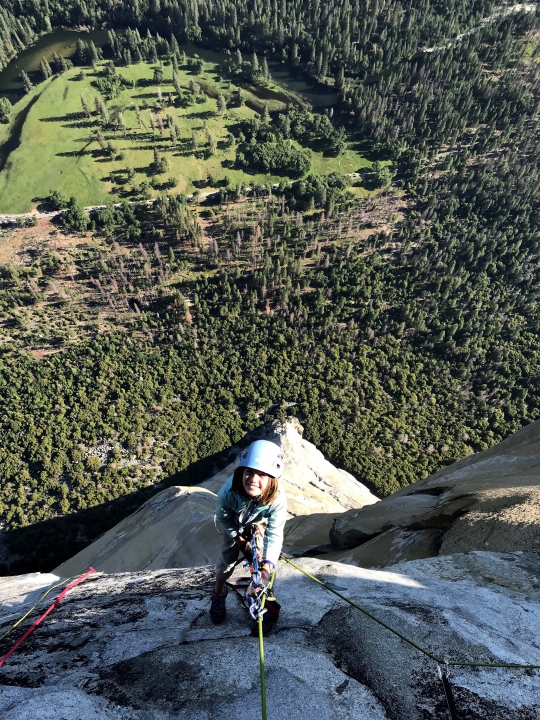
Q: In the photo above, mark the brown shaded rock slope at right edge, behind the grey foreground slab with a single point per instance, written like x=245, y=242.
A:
x=488, y=501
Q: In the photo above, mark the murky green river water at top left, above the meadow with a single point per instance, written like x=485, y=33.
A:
x=61, y=42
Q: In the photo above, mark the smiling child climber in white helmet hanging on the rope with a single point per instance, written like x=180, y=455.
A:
x=251, y=496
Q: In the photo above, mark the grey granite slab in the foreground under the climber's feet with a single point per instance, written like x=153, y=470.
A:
x=140, y=646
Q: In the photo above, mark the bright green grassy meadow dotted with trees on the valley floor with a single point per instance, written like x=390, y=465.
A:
x=59, y=150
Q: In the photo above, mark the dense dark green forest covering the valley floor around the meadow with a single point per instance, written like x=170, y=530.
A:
x=402, y=345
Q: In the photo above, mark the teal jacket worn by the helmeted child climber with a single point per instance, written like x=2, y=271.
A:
x=234, y=512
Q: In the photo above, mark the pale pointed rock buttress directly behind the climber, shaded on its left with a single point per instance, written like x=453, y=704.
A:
x=176, y=527
